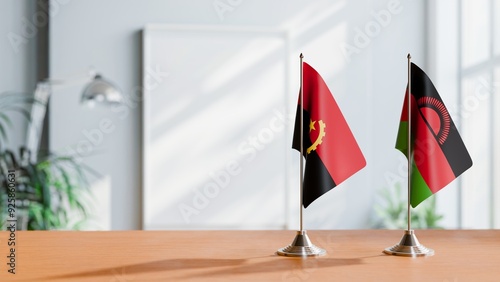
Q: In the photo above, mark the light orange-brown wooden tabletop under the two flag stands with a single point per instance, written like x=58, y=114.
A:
x=354, y=255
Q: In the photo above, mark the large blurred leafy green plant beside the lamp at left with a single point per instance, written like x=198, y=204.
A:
x=52, y=191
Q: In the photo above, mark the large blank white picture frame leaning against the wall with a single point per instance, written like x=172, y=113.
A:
x=217, y=125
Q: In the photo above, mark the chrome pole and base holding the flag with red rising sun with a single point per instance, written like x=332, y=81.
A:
x=409, y=245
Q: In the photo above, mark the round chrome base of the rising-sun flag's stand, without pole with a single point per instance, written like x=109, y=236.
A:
x=409, y=247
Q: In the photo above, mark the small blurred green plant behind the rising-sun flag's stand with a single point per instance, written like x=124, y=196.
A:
x=392, y=212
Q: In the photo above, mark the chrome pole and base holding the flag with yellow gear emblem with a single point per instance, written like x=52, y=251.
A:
x=301, y=245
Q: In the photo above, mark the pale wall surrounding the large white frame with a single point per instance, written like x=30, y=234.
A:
x=368, y=85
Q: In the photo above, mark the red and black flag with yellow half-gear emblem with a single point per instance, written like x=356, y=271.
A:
x=331, y=152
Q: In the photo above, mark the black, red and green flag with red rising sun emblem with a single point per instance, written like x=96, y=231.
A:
x=439, y=154
